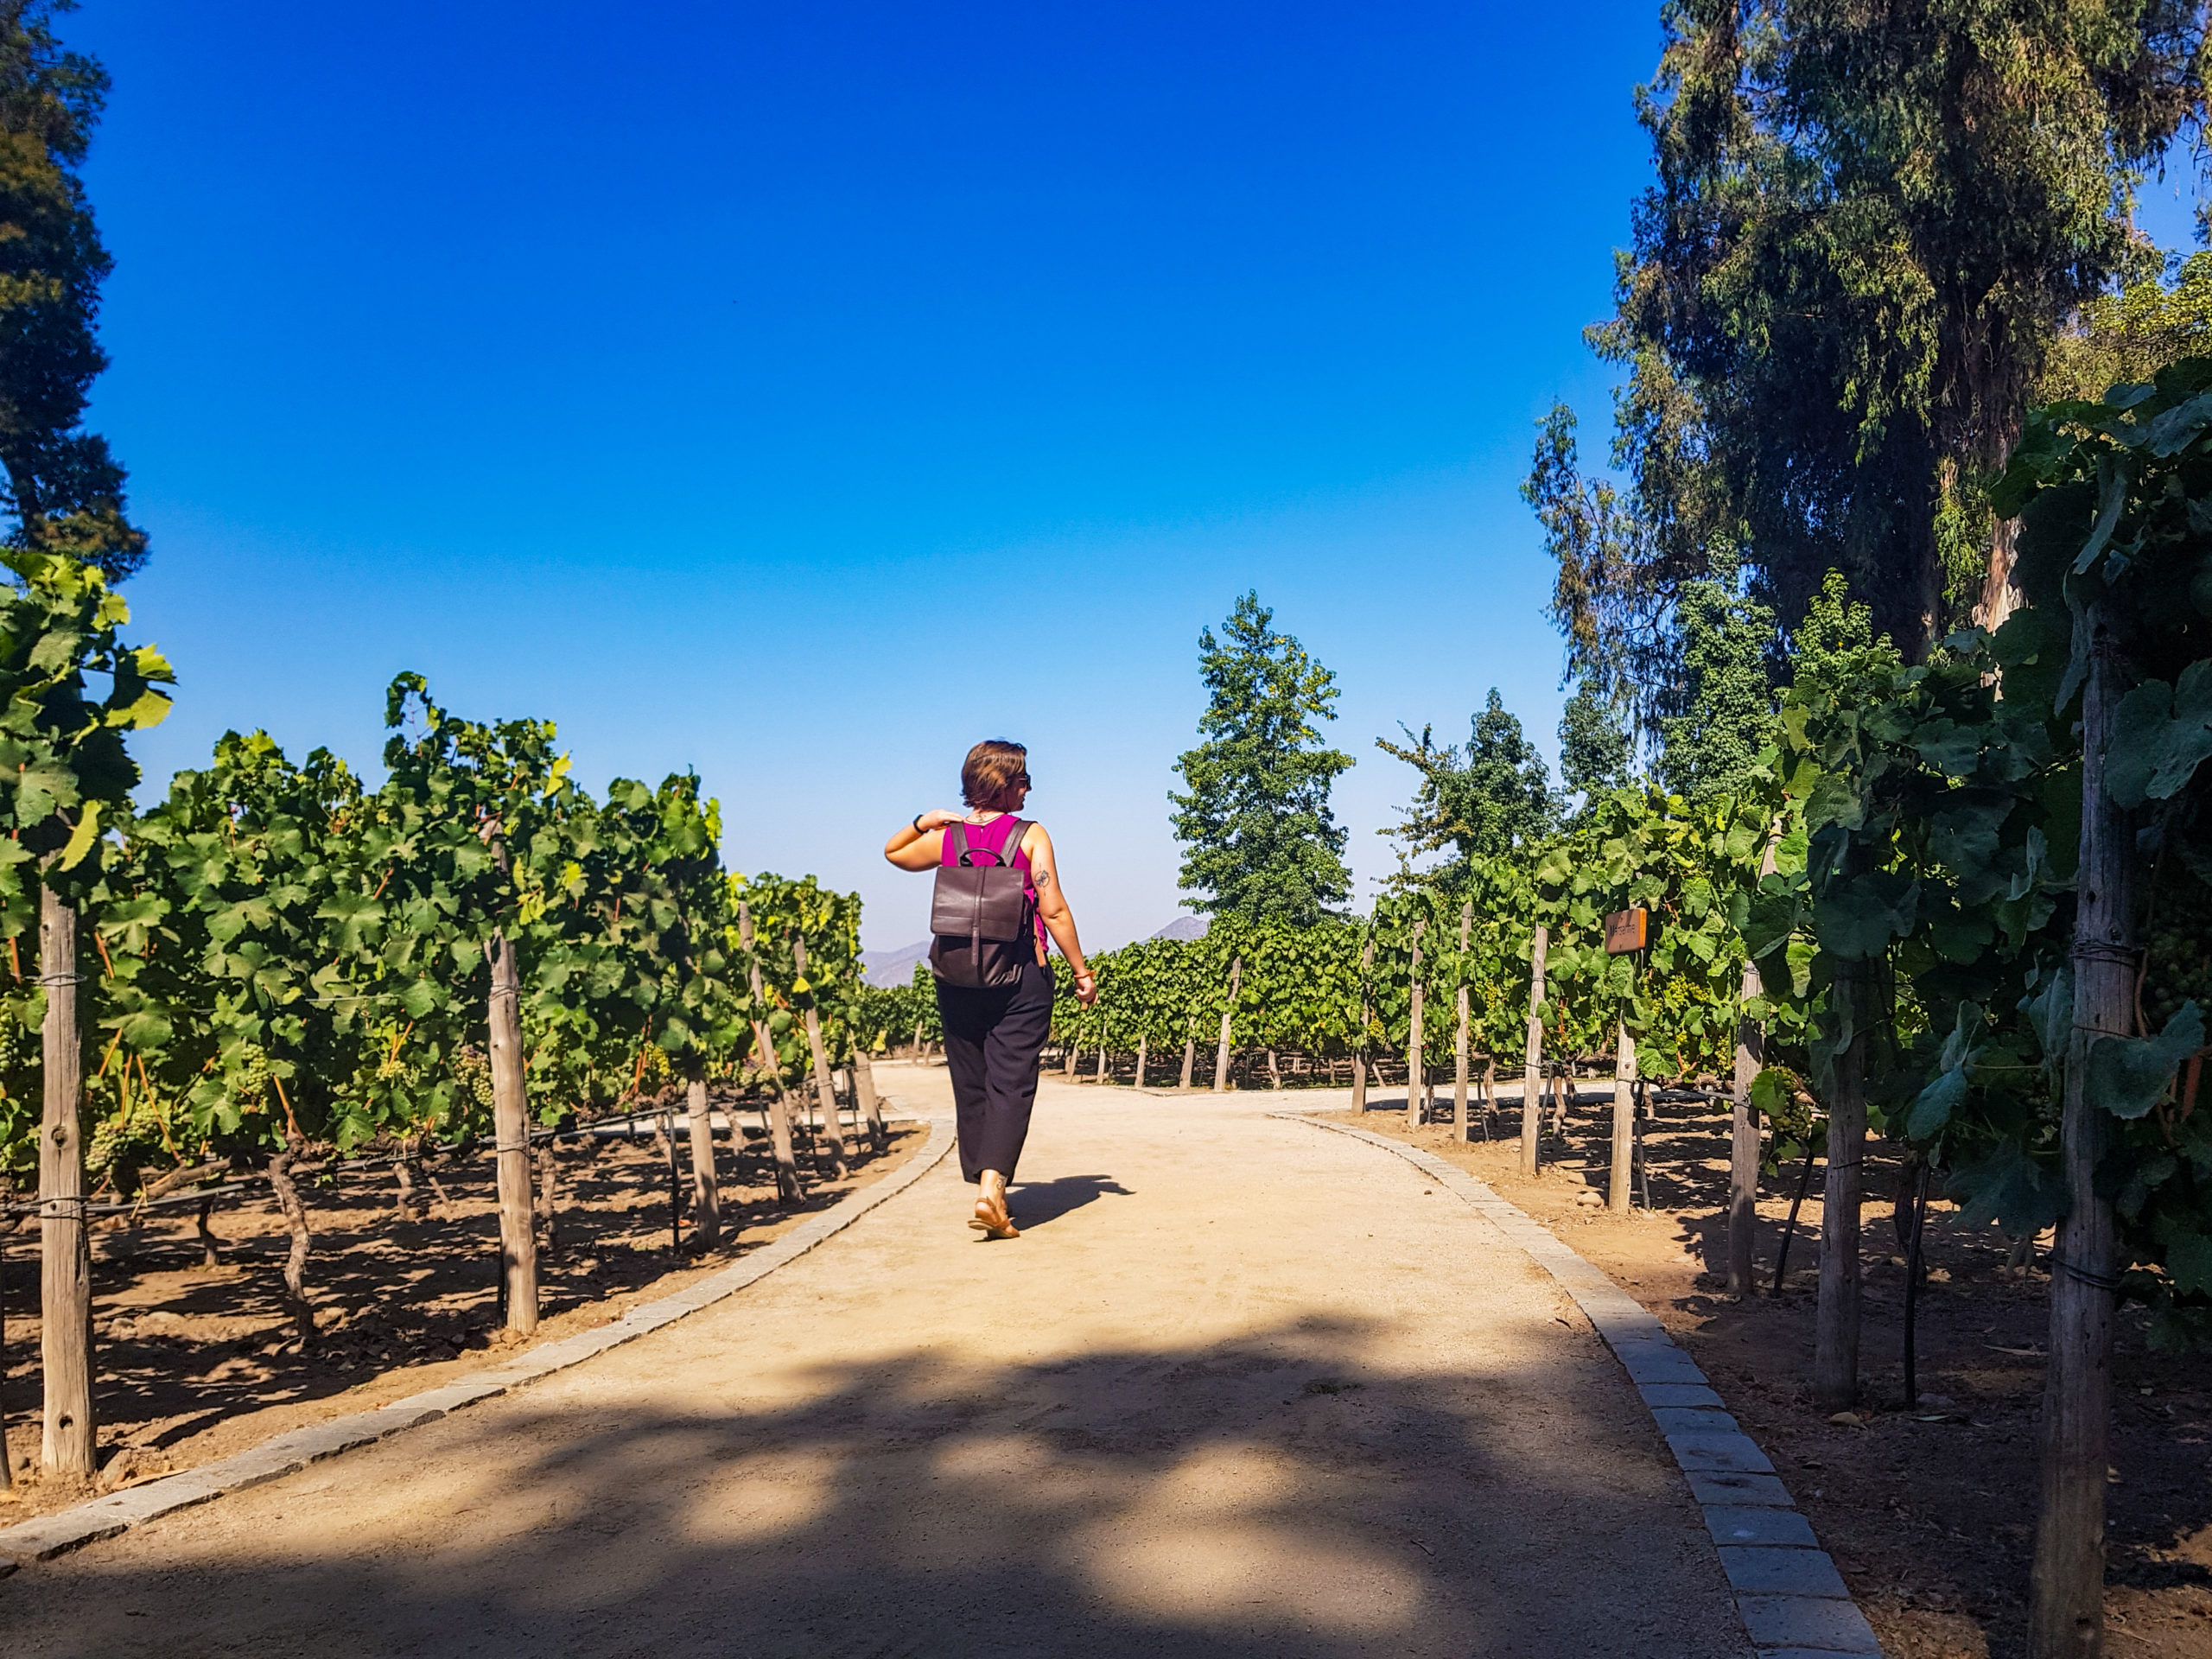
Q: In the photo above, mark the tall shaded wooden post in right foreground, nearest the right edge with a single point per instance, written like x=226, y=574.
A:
x=2067, y=1603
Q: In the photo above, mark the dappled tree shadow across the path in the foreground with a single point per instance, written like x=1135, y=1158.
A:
x=1315, y=1490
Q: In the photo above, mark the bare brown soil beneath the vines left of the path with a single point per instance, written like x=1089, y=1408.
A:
x=198, y=1364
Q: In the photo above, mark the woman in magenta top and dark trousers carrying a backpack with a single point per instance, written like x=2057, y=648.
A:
x=994, y=983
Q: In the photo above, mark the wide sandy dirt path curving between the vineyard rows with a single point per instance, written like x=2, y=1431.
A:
x=1242, y=1388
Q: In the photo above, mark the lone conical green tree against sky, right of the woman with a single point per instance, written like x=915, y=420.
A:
x=1260, y=839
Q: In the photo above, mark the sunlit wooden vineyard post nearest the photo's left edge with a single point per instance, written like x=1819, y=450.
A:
x=65, y=1258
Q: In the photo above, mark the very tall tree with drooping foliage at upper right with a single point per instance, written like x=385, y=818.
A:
x=1868, y=229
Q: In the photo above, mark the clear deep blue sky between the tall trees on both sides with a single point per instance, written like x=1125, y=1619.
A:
x=804, y=393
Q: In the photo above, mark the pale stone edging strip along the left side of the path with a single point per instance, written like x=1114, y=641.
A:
x=41, y=1541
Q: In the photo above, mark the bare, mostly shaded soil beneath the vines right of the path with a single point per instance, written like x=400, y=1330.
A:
x=1928, y=1512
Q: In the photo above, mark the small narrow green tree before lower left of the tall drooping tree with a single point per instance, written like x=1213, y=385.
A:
x=1722, y=702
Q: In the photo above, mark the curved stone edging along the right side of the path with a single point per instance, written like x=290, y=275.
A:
x=1788, y=1592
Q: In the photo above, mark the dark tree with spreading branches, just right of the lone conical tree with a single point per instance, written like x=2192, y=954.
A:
x=1483, y=800
